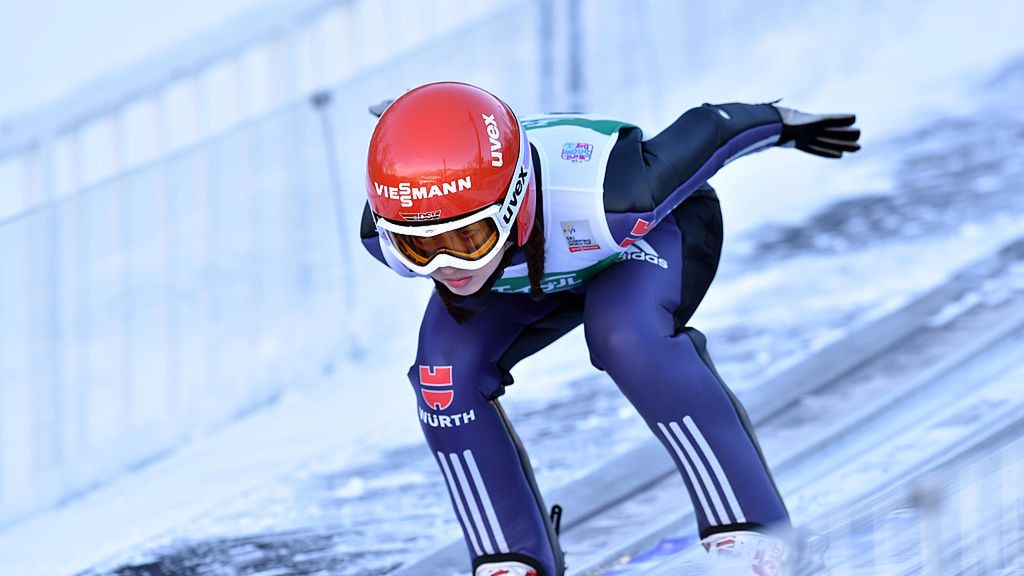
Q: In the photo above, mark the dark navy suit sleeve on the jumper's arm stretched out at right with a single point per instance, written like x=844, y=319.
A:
x=647, y=180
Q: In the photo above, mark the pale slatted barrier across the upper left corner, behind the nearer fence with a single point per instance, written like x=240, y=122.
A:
x=219, y=81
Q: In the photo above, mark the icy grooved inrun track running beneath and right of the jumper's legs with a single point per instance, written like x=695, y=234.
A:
x=858, y=448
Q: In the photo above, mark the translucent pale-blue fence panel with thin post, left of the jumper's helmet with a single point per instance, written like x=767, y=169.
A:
x=205, y=278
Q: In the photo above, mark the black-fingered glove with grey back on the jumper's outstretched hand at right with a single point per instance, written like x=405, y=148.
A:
x=824, y=135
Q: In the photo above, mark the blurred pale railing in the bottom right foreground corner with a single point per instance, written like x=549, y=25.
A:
x=967, y=519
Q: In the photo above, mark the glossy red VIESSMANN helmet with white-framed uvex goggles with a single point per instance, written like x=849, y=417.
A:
x=449, y=174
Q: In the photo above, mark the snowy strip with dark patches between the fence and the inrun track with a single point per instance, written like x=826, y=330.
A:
x=323, y=481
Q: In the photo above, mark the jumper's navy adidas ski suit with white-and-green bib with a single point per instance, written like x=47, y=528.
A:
x=633, y=238
